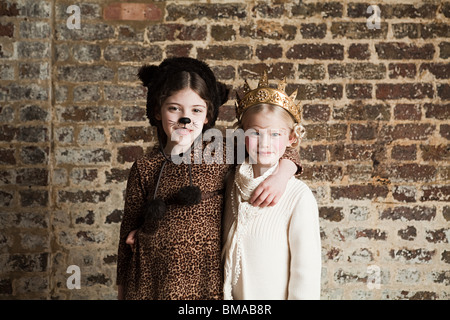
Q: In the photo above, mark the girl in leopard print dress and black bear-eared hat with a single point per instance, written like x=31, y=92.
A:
x=173, y=210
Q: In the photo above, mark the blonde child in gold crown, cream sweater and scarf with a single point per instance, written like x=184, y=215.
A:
x=273, y=252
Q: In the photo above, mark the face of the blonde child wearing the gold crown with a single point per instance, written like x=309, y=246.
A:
x=267, y=137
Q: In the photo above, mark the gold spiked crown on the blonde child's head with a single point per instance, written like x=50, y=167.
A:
x=265, y=94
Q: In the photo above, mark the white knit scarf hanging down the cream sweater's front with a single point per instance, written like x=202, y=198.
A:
x=243, y=186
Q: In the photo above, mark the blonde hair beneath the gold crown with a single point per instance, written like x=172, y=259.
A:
x=297, y=130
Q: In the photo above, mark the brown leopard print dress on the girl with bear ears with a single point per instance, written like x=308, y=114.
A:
x=179, y=256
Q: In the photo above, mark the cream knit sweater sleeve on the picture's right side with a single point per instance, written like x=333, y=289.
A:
x=305, y=249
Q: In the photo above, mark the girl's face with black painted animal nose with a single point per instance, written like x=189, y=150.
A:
x=185, y=104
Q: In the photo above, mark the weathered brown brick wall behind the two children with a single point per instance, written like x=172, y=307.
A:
x=375, y=103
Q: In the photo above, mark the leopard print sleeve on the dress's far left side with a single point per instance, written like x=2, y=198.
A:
x=132, y=219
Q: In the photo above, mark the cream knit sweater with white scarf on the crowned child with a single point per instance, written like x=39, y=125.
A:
x=275, y=252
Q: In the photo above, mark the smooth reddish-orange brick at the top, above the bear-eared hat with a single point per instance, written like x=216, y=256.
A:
x=133, y=11
